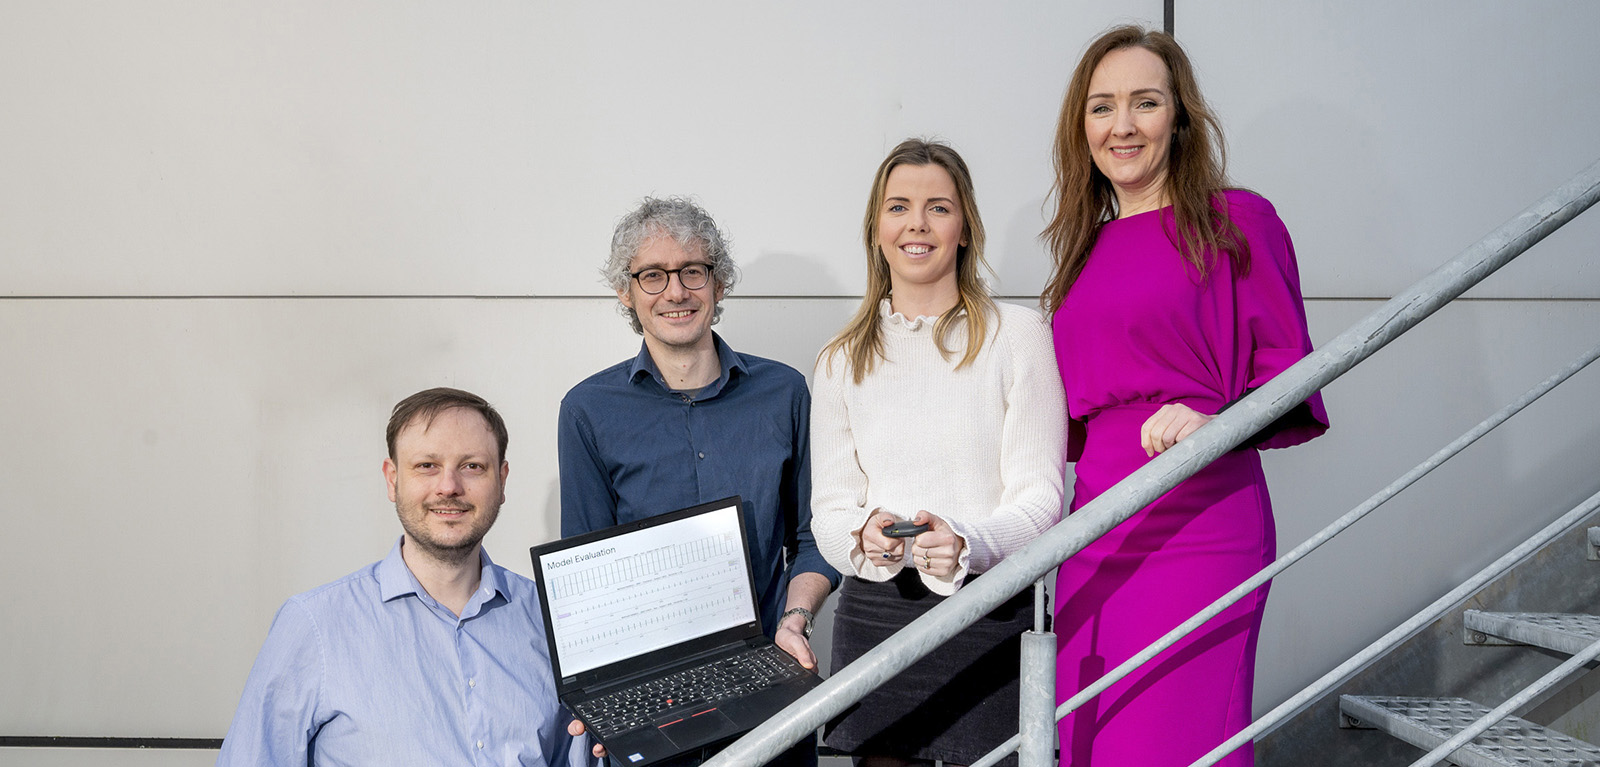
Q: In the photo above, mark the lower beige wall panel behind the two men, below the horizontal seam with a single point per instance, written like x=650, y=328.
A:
x=193, y=464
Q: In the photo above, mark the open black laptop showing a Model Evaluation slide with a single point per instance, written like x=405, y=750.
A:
x=655, y=633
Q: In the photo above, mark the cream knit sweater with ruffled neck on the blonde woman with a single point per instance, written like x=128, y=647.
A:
x=980, y=448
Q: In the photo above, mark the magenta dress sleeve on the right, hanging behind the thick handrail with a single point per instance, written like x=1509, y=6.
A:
x=1273, y=319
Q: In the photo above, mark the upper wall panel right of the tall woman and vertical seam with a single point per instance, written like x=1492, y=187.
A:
x=1394, y=135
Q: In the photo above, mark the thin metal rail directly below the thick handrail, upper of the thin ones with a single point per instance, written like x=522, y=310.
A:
x=1308, y=547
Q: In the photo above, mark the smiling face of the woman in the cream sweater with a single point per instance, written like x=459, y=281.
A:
x=921, y=231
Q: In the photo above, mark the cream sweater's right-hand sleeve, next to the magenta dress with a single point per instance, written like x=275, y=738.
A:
x=1033, y=448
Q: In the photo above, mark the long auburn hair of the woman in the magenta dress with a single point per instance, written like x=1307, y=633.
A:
x=1196, y=179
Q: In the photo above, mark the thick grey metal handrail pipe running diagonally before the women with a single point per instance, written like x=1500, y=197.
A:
x=1166, y=472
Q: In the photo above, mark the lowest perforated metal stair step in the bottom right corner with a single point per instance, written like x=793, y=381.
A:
x=1426, y=723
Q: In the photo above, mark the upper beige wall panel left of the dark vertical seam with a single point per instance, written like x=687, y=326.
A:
x=367, y=148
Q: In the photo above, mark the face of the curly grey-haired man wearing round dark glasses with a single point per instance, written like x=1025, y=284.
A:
x=676, y=318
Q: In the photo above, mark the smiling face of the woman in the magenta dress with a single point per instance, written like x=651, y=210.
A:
x=1129, y=122
